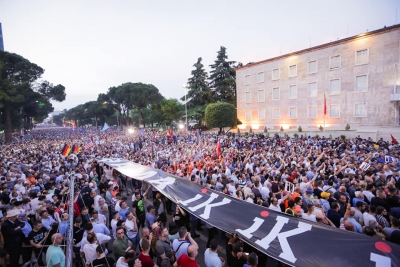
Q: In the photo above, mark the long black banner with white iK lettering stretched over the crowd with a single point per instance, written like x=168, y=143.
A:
x=294, y=241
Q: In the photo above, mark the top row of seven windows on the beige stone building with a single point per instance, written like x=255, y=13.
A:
x=361, y=58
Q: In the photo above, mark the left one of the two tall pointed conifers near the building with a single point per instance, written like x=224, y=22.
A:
x=199, y=93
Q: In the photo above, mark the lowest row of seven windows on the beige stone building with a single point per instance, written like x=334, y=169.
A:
x=333, y=110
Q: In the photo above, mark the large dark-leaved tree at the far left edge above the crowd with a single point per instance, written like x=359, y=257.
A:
x=18, y=79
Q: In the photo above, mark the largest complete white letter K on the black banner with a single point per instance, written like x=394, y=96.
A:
x=287, y=253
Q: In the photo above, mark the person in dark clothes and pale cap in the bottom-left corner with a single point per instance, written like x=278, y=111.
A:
x=11, y=230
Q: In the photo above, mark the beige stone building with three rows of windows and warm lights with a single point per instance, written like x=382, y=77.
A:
x=357, y=75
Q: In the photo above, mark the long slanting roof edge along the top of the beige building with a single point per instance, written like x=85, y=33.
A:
x=318, y=47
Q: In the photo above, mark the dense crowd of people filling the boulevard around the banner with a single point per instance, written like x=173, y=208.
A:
x=352, y=184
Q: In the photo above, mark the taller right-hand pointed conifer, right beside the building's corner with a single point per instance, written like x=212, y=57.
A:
x=223, y=78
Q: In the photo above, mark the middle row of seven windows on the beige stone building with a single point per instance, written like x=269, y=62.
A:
x=335, y=88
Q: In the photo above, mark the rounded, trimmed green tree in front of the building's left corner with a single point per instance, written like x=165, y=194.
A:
x=220, y=114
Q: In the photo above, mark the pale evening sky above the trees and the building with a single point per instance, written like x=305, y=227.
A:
x=91, y=45
